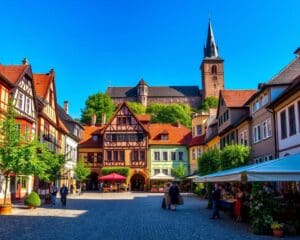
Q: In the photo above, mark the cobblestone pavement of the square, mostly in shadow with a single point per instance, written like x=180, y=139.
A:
x=121, y=216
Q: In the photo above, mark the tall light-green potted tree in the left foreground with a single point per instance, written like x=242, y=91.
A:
x=18, y=155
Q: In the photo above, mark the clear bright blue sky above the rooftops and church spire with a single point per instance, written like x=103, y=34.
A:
x=96, y=43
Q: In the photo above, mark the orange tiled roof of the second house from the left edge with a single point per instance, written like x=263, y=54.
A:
x=41, y=83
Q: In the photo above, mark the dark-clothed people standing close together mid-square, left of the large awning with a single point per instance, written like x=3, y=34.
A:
x=171, y=196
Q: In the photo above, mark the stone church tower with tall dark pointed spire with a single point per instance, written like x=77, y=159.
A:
x=212, y=67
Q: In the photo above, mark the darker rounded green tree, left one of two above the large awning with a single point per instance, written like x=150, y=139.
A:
x=209, y=162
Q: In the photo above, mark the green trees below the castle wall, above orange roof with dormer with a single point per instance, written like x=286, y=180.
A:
x=171, y=113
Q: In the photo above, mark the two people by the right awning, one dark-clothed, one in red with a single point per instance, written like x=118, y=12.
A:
x=216, y=197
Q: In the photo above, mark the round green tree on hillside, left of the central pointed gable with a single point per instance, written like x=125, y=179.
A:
x=98, y=104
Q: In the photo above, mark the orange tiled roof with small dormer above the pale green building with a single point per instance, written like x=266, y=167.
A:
x=177, y=135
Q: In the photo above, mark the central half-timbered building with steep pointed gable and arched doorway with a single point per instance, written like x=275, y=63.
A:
x=125, y=143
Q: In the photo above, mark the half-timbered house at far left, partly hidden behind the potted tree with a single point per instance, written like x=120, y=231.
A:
x=23, y=97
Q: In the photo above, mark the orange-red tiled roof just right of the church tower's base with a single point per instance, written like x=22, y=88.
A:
x=236, y=98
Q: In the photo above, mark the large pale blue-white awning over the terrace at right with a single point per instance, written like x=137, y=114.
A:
x=283, y=169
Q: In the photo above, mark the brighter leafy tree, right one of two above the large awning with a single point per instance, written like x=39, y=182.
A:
x=235, y=155
